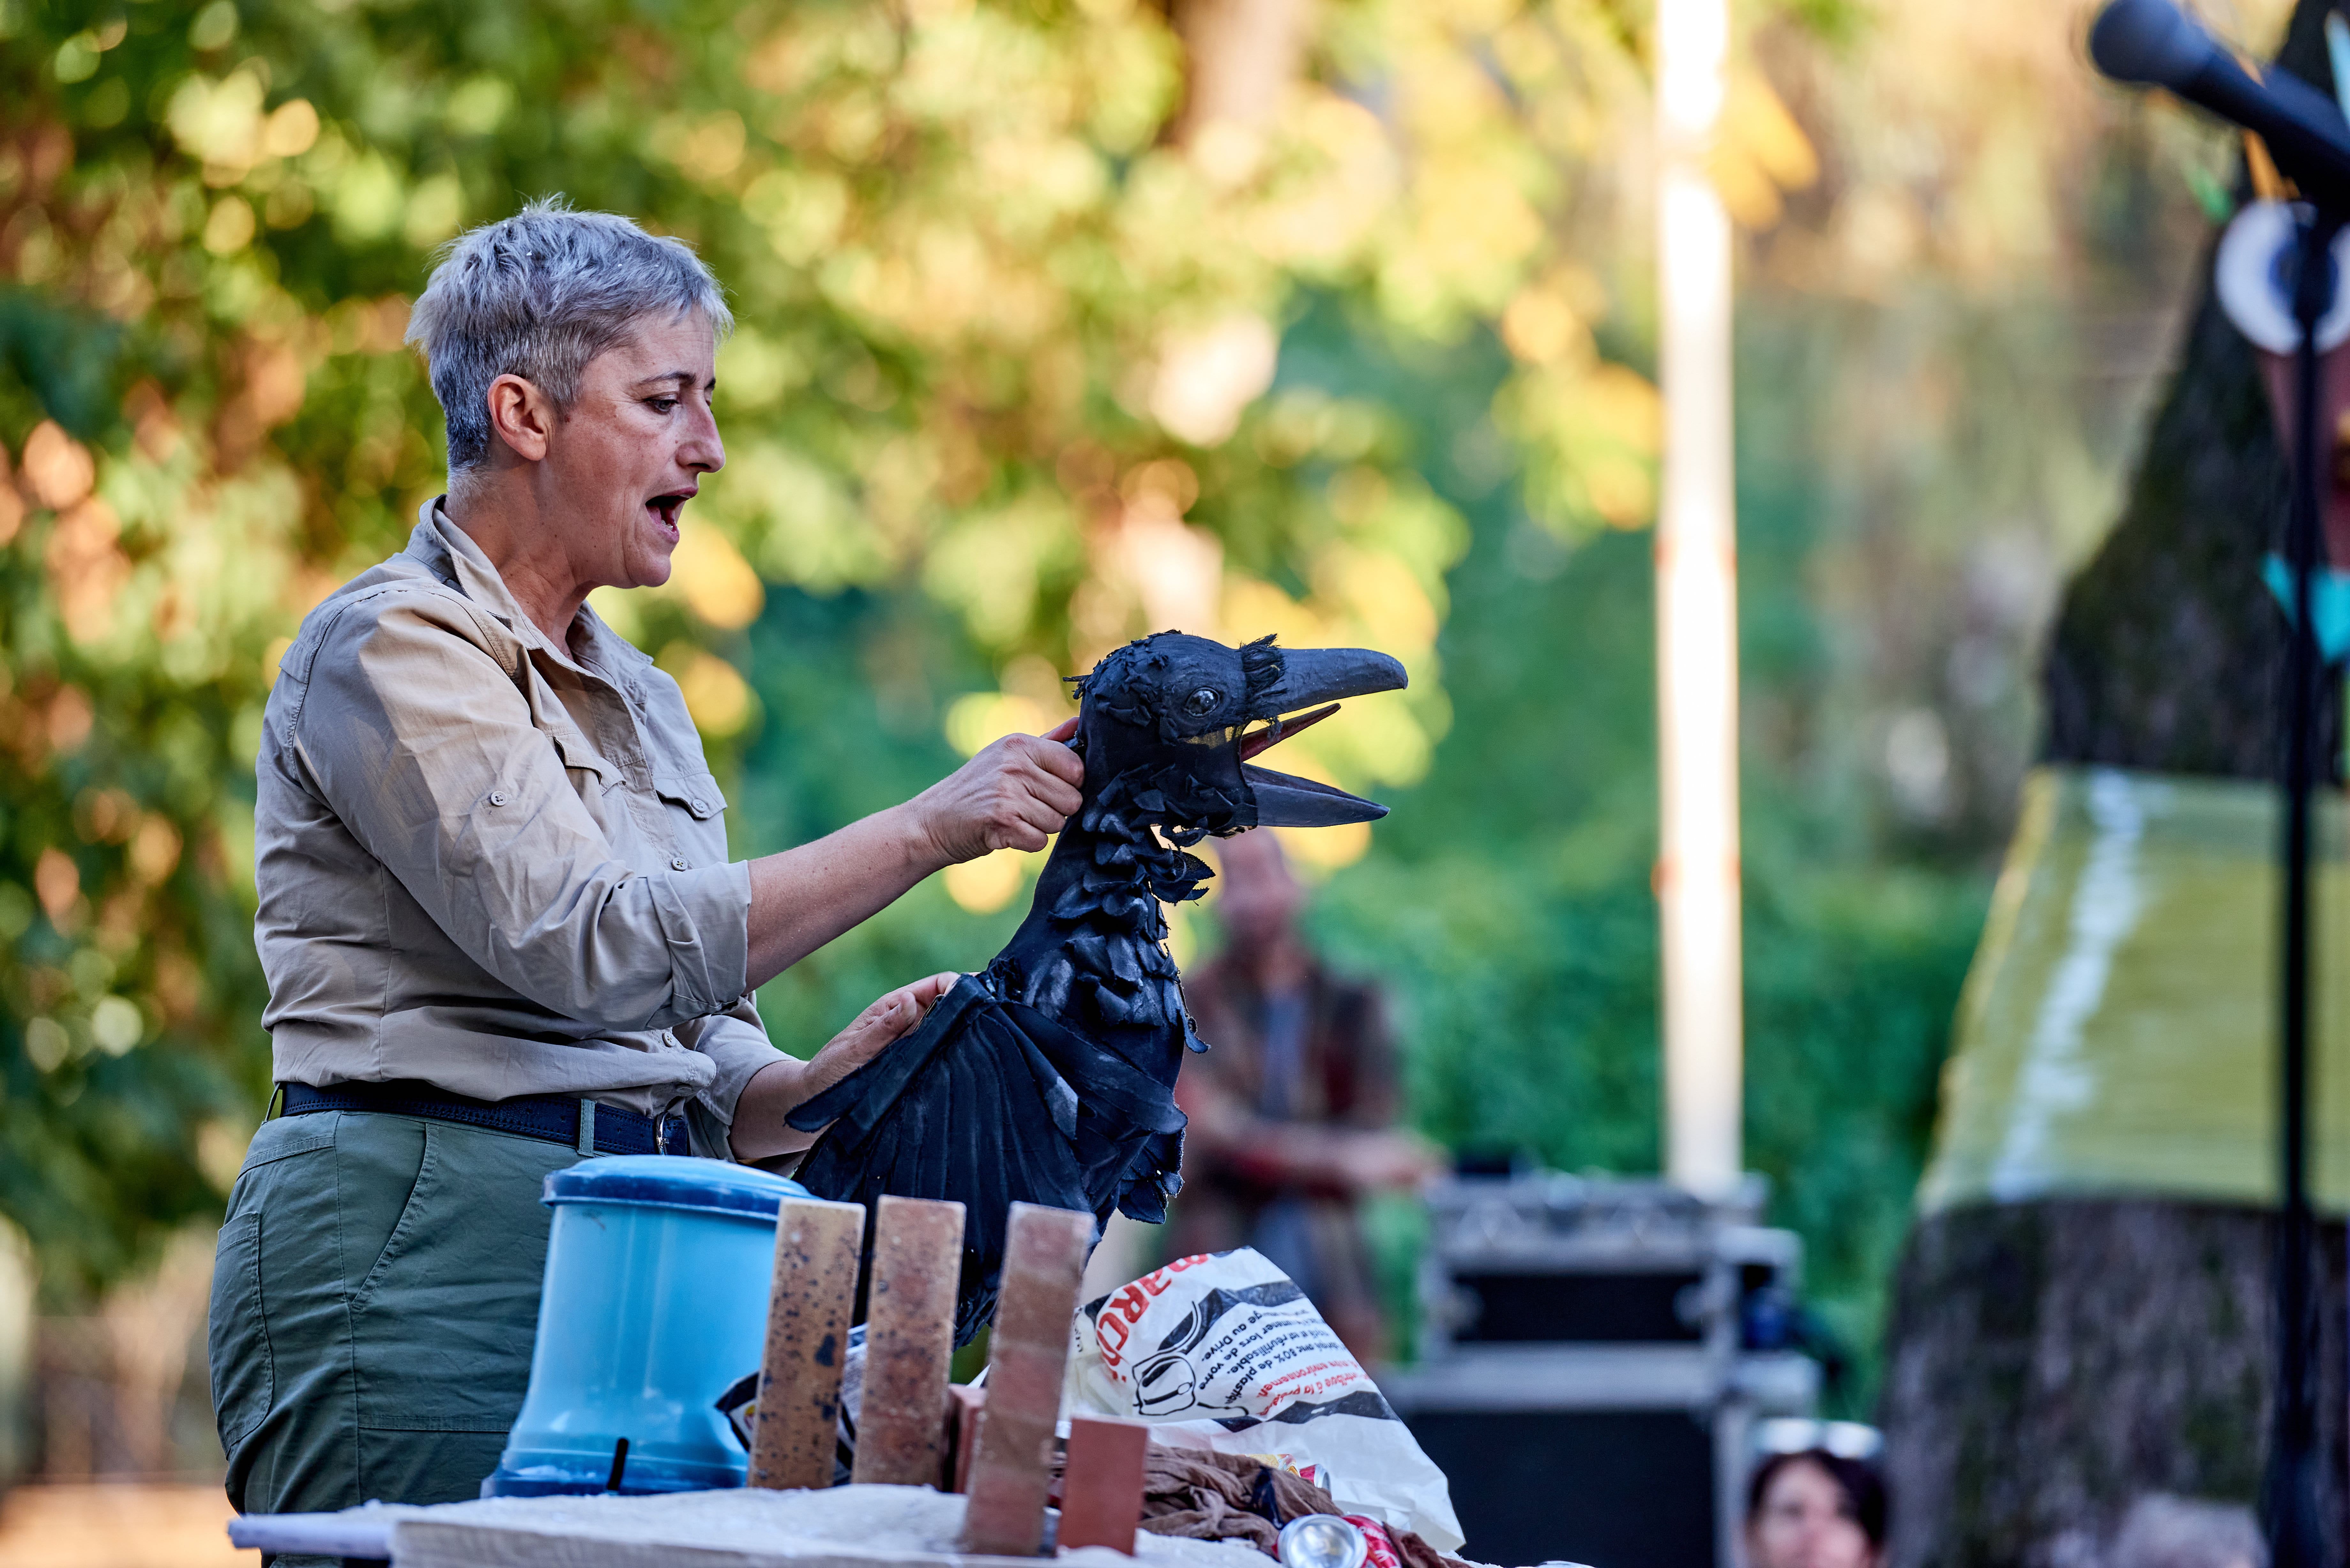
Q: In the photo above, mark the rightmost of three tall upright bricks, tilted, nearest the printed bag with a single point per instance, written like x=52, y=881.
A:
x=1045, y=1257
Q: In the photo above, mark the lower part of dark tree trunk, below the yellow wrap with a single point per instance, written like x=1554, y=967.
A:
x=2060, y=1362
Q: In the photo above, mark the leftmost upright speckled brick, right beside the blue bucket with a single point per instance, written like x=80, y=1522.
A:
x=807, y=1343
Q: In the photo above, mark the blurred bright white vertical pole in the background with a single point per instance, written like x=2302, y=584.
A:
x=1698, y=648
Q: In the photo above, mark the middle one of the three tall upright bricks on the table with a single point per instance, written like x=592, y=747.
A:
x=908, y=1341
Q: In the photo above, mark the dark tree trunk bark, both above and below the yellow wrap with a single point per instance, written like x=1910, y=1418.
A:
x=2057, y=1365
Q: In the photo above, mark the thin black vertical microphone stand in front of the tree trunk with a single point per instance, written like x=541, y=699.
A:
x=2290, y=1492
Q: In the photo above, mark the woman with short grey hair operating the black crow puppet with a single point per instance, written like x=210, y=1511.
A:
x=497, y=911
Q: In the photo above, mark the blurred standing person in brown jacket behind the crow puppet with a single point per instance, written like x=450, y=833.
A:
x=1296, y=1101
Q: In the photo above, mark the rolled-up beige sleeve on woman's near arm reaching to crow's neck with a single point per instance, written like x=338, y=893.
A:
x=429, y=751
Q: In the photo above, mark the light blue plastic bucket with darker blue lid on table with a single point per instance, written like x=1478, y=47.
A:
x=654, y=1304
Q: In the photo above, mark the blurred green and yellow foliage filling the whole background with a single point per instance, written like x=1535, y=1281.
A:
x=1014, y=283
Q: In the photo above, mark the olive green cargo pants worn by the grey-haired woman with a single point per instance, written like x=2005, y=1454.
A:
x=375, y=1306
